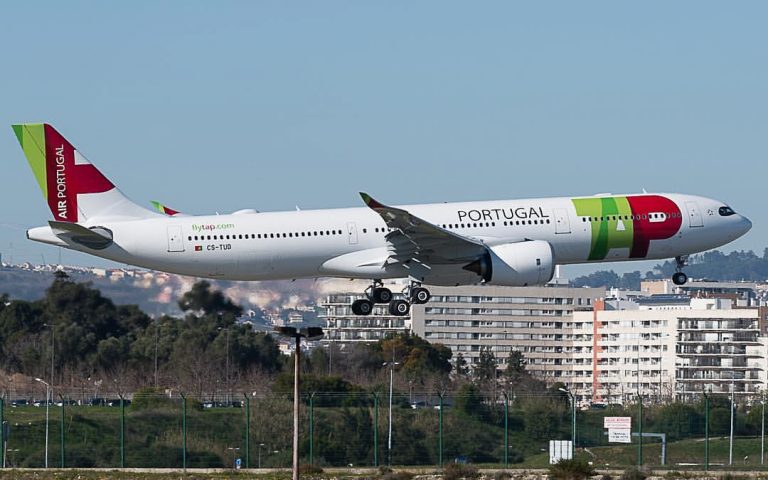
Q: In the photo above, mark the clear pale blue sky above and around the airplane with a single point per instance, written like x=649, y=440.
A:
x=218, y=106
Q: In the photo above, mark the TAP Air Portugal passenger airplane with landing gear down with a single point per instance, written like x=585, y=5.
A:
x=504, y=242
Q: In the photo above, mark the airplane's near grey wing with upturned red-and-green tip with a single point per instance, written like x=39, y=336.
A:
x=416, y=240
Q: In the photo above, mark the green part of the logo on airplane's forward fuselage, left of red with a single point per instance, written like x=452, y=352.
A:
x=607, y=233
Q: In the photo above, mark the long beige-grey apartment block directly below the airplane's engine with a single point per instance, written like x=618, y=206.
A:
x=537, y=321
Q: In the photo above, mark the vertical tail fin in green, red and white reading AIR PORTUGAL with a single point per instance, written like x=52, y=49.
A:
x=75, y=190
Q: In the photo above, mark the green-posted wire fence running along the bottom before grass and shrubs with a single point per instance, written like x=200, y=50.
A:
x=500, y=429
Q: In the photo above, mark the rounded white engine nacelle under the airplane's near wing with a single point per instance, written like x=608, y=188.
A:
x=516, y=264
